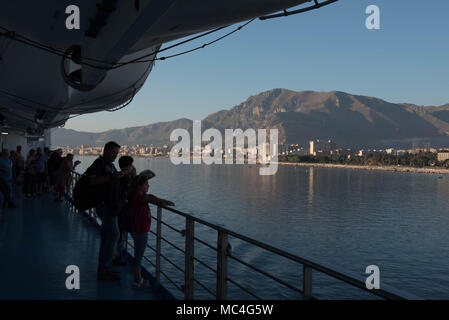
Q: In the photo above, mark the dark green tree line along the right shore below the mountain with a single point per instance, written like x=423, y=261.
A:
x=418, y=160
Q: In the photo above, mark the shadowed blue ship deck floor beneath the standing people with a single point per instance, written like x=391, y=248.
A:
x=39, y=239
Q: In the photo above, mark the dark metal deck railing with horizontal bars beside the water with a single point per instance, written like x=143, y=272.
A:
x=224, y=253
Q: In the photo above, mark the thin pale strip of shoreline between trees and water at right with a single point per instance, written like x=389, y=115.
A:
x=375, y=168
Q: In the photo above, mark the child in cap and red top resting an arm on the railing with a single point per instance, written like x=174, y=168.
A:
x=141, y=220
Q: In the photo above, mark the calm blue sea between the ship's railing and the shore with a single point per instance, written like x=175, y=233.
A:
x=347, y=219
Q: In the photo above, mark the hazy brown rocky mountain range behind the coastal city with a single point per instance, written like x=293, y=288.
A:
x=350, y=120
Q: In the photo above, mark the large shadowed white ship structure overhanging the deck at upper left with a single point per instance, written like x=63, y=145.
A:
x=61, y=58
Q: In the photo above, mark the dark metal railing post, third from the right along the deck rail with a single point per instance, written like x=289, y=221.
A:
x=189, y=262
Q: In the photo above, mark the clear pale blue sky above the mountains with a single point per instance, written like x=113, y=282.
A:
x=407, y=60
